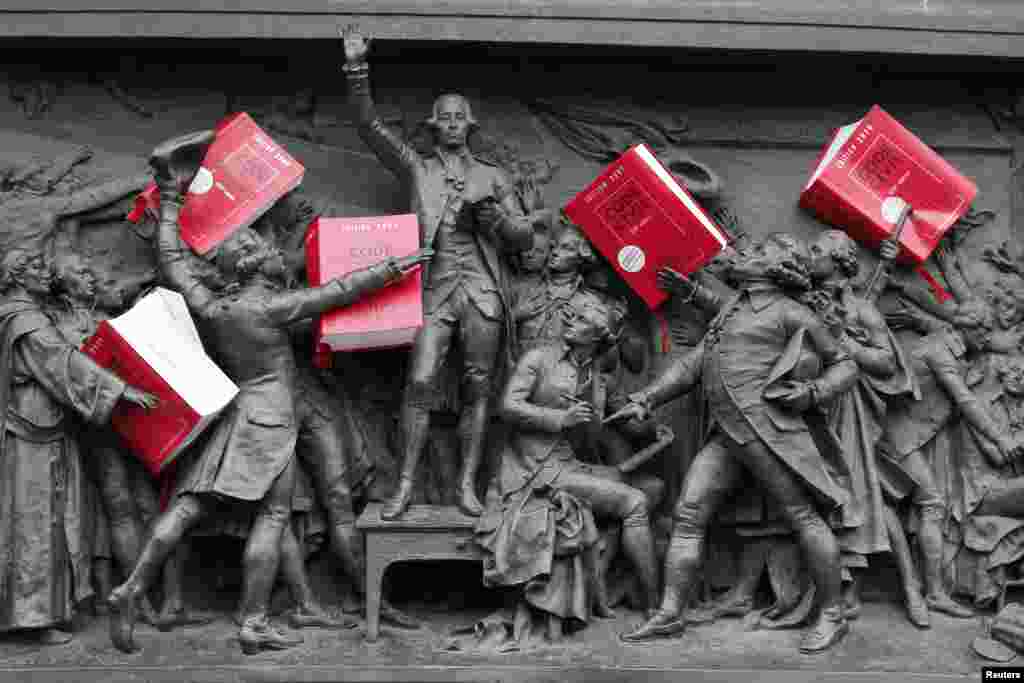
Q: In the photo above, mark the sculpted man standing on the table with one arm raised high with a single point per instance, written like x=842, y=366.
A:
x=470, y=216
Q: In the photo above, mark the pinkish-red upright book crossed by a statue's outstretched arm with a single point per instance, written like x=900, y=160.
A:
x=387, y=319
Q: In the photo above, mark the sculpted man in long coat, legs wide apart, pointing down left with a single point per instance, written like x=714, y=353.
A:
x=757, y=428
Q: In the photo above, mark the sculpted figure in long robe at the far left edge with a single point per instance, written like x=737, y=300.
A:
x=44, y=568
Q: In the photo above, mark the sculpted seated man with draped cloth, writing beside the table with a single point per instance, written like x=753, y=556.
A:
x=537, y=530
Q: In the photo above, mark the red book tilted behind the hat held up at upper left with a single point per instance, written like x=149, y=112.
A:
x=243, y=175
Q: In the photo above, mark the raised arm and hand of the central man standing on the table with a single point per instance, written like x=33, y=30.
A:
x=394, y=152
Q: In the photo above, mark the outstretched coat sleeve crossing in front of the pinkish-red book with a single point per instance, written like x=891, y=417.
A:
x=290, y=308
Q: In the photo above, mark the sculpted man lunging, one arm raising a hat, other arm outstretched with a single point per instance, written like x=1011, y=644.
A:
x=249, y=457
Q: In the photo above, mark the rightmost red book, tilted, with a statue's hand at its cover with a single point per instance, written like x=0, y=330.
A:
x=867, y=174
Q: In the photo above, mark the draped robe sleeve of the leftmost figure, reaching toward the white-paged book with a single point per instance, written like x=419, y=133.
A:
x=70, y=376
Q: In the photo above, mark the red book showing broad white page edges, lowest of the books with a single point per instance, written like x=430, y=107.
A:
x=154, y=347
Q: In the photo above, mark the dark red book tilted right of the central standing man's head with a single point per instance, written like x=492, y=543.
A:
x=642, y=220
